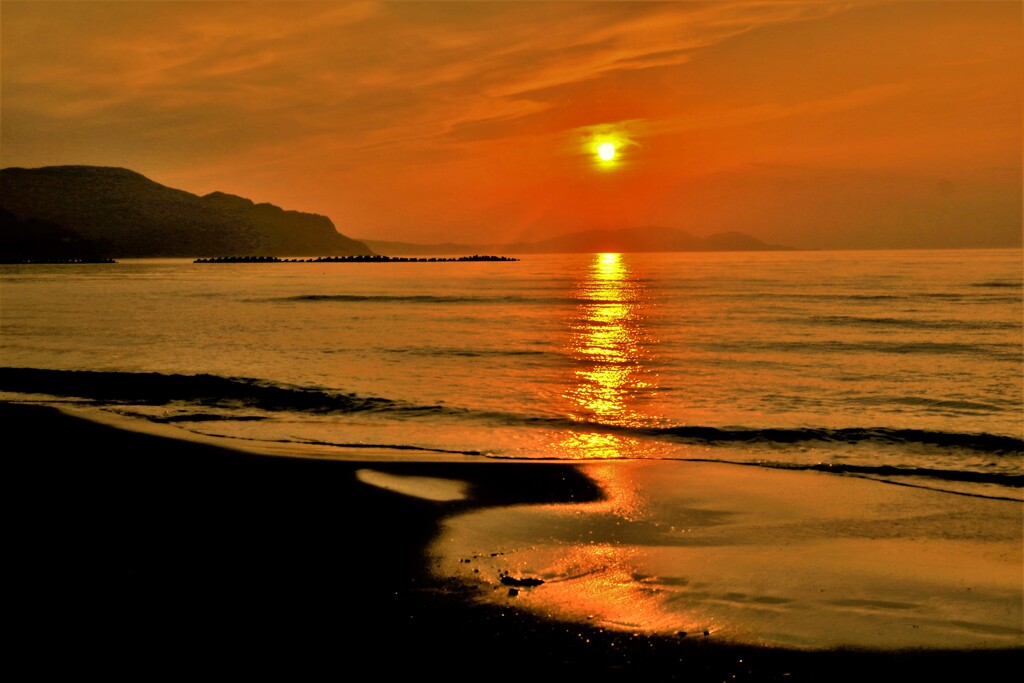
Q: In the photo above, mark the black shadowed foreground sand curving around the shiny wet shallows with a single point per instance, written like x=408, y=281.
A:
x=137, y=556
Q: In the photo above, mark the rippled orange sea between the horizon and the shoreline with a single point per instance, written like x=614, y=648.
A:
x=904, y=366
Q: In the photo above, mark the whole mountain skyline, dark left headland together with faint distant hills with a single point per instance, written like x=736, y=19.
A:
x=93, y=212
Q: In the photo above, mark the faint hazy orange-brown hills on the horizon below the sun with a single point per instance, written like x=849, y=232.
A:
x=588, y=242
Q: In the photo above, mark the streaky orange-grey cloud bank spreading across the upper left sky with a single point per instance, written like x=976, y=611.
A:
x=377, y=73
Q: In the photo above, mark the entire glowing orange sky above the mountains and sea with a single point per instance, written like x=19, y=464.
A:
x=818, y=124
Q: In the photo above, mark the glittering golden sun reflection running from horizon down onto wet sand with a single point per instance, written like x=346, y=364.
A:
x=609, y=350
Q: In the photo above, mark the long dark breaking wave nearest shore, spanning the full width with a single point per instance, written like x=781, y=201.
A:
x=227, y=393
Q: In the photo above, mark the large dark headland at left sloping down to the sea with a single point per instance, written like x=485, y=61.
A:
x=136, y=218
